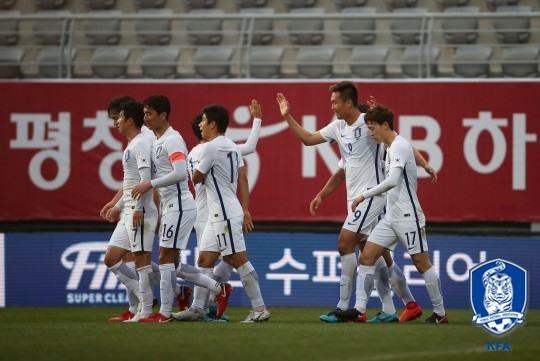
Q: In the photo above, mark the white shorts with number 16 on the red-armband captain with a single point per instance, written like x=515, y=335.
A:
x=176, y=227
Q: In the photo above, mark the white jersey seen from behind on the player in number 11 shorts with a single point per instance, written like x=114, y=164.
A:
x=220, y=160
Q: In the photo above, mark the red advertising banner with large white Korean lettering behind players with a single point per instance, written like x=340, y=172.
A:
x=64, y=157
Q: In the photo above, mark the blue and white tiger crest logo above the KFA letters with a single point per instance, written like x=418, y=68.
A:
x=498, y=295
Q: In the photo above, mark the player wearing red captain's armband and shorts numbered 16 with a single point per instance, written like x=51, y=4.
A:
x=178, y=210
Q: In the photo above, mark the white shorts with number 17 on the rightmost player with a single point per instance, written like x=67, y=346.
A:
x=409, y=233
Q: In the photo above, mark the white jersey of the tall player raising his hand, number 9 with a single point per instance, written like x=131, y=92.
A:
x=362, y=156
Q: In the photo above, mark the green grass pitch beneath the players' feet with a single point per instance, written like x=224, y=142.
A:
x=77, y=333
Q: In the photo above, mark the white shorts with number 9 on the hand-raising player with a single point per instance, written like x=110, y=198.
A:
x=366, y=215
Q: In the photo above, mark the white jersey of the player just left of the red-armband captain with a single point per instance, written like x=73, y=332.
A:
x=137, y=155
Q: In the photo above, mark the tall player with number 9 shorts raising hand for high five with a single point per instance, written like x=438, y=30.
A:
x=363, y=160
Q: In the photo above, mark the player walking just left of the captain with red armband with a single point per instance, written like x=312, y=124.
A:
x=140, y=216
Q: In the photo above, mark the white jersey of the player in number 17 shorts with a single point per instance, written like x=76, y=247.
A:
x=402, y=201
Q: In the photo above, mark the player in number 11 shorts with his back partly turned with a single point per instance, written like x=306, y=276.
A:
x=223, y=172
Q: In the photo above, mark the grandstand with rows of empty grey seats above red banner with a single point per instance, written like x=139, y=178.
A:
x=280, y=39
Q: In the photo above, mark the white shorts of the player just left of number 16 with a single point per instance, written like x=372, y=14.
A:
x=141, y=238
